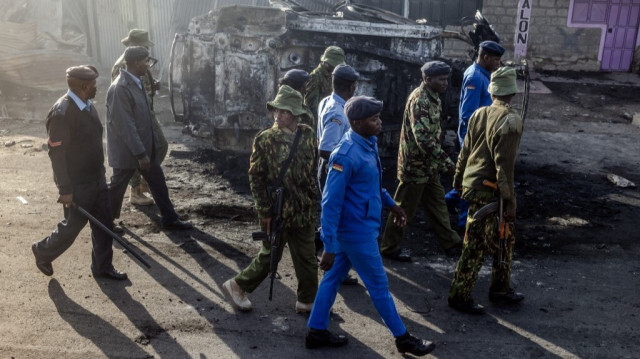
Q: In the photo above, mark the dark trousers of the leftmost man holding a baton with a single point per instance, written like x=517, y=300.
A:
x=94, y=198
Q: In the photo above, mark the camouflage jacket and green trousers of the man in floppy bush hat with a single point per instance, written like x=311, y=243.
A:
x=270, y=149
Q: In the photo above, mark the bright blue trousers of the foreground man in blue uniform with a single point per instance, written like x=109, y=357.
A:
x=365, y=259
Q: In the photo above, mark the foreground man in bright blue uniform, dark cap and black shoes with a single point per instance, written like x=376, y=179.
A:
x=352, y=204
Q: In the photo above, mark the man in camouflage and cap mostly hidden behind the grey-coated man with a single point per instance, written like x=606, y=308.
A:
x=139, y=37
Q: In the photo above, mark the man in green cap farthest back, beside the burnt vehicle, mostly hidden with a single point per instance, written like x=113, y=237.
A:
x=319, y=85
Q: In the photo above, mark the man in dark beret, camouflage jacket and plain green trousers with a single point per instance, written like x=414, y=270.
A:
x=420, y=159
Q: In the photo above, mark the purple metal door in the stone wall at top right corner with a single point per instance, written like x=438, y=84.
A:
x=622, y=33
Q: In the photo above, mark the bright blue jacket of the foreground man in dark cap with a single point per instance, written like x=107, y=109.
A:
x=353, y=196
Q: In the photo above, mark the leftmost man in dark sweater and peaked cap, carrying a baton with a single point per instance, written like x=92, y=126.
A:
x=77, y=158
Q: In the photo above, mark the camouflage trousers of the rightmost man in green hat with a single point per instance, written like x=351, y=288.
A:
x=481, y=238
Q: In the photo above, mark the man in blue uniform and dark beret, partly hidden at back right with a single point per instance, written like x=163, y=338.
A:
x=473, y=95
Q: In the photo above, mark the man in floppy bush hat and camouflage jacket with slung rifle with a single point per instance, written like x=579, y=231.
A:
x=270, y=149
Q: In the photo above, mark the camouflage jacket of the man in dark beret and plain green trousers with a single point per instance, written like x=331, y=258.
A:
x=421, y=156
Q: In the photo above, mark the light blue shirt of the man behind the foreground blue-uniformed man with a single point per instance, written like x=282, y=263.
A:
x=332, y=123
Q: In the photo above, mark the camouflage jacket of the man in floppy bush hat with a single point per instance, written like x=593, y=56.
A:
x=270, y=149
